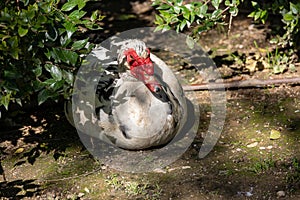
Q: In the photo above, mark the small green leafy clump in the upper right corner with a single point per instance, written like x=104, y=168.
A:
x=290, y=13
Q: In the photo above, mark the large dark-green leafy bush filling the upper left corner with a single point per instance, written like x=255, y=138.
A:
x=41, y=46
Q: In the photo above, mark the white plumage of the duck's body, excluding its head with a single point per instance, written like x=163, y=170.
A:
x=139, y=118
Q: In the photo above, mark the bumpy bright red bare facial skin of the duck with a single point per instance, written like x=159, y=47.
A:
x=142, y=69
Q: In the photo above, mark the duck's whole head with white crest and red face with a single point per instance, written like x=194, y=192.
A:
x=135, y=56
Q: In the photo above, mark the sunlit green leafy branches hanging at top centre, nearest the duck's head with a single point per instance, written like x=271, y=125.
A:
x=178, y=15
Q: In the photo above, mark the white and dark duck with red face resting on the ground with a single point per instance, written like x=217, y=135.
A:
x=137, y=101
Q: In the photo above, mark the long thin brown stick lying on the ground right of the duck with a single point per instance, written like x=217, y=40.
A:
x=250, y=83
